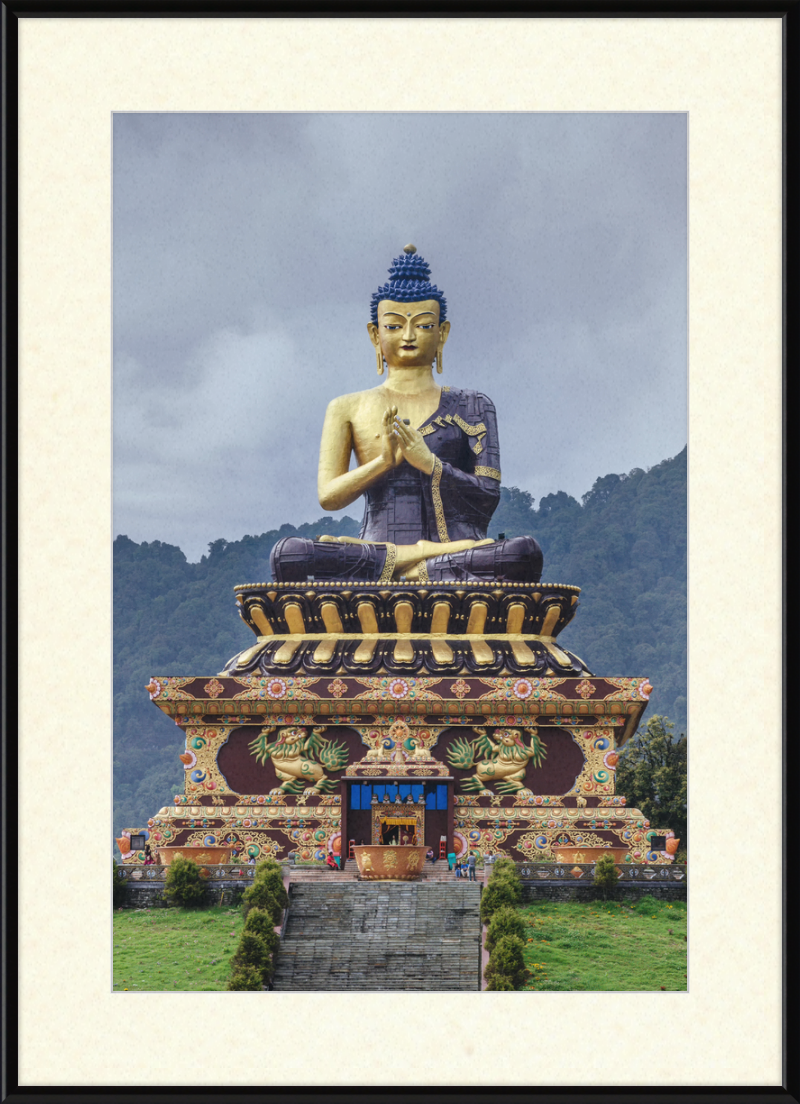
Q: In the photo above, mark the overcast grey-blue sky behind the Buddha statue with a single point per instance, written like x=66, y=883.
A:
x=247, y=249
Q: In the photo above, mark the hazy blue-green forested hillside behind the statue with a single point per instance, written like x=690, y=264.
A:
x=625, y=545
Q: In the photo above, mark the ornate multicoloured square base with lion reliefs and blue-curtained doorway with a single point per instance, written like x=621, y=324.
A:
x=304, y=767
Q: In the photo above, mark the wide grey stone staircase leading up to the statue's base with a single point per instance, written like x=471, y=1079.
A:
x=349, y=936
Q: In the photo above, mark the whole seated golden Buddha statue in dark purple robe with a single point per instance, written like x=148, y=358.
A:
x=429, y=461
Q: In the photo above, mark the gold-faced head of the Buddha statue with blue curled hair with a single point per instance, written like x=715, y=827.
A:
x=409, y=328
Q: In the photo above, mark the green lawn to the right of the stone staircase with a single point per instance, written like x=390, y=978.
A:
x=575, y=947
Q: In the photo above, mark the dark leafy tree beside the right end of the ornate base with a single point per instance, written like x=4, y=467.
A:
x=653, y=776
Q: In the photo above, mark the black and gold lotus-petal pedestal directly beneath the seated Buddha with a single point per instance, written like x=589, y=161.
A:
x=369, y=629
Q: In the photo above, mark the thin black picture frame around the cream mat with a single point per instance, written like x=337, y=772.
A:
x=14, y=13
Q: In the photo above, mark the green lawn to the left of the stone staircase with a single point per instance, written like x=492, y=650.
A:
x=170, y=950
